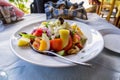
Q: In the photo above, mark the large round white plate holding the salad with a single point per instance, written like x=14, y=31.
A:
x=93, y=47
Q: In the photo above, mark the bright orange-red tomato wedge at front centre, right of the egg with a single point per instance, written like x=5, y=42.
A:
x=56, y=44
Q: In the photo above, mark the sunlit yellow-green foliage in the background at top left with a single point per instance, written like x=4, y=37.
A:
x=21, y=4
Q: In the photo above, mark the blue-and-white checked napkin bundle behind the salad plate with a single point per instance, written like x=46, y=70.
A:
x=65, y=9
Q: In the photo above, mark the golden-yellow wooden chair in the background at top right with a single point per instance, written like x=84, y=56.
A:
x=106, y=8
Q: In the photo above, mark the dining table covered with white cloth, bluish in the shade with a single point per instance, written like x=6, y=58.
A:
x=106, y=64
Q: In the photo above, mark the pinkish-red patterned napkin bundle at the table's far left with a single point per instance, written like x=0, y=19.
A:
x=9, y=13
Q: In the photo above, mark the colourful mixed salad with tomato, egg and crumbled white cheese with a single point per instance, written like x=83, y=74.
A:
x=58, y=36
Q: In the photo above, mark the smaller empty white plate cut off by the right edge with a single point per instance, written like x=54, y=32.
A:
x=112, y=42
